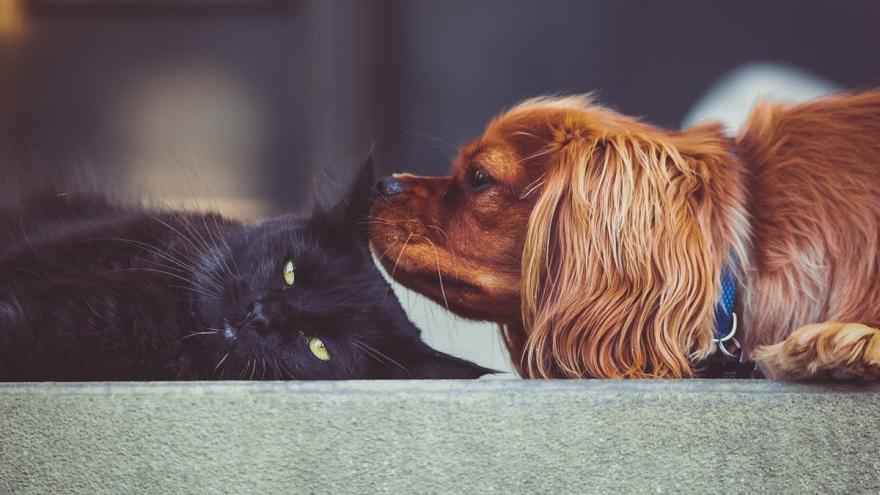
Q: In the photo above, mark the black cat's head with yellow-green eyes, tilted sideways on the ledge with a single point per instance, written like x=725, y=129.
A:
x=301, y=298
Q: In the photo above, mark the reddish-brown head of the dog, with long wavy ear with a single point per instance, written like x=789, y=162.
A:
x=598, y=235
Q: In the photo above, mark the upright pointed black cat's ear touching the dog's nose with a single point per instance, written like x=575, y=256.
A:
x=352, y=211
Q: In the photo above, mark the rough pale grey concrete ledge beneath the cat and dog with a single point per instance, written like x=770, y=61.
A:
x=430, y=437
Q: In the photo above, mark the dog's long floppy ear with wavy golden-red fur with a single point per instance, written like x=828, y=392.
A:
x=621, y=258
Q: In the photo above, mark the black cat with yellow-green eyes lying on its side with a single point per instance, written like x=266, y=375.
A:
x=93, y=290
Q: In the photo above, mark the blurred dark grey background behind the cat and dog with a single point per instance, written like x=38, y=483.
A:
x=264, y=99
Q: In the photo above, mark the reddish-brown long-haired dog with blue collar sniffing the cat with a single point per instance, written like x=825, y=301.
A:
x=598, y=241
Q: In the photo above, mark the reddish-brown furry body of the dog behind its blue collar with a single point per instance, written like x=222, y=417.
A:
x=815, y=214
